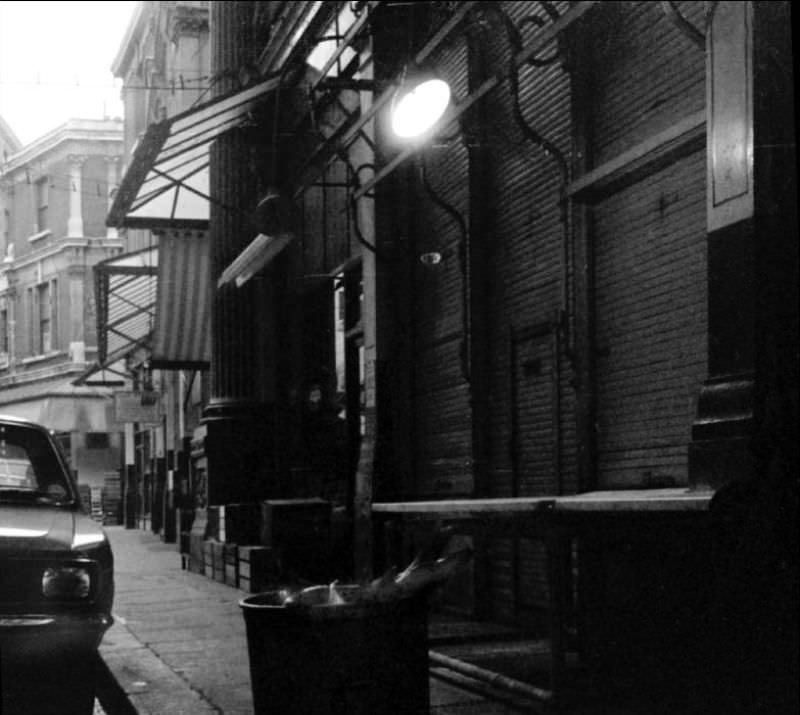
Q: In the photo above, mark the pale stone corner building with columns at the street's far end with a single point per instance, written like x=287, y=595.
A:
x=55, y=193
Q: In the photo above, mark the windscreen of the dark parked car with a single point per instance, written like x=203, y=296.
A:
x=30, y=469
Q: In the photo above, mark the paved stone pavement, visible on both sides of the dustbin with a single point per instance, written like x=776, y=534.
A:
x=178, y=644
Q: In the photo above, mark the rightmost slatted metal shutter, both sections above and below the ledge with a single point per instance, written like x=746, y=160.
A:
x=649, y=248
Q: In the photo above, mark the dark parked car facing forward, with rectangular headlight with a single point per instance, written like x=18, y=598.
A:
x=56, y=579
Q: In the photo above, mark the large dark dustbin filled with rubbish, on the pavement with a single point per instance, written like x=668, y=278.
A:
x=355, y=658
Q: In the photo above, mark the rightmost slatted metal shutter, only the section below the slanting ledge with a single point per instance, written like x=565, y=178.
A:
x=651, y=322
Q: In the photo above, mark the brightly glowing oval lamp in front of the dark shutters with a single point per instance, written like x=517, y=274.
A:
x=419, y=103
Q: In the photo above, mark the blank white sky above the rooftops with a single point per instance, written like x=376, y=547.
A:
x=55, y=62
